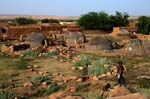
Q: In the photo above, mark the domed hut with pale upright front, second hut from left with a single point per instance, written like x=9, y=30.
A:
x=72, y=38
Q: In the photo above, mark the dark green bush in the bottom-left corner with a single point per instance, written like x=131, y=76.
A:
x=5, y=94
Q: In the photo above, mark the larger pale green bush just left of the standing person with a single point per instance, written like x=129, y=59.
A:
x=98, y=67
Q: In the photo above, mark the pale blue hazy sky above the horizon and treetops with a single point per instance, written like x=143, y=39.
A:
x=73, y=7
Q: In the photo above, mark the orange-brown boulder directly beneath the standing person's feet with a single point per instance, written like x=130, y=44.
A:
x=119, y=91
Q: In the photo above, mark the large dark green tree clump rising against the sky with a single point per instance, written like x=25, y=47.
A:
x=103, y=21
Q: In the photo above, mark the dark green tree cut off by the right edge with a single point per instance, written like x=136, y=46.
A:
x=143, y=25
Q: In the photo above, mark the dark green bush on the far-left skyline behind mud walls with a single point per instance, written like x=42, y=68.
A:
x=24, y=21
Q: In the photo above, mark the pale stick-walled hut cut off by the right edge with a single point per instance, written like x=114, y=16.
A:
x=138, y=47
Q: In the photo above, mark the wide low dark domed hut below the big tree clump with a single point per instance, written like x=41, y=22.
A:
x=99, y=43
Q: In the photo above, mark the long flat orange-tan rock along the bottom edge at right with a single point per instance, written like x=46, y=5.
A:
x=130, y=96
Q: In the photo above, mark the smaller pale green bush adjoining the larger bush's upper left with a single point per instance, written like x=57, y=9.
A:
x=84, y=60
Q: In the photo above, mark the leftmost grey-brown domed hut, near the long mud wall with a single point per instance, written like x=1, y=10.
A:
x=35, y=40
